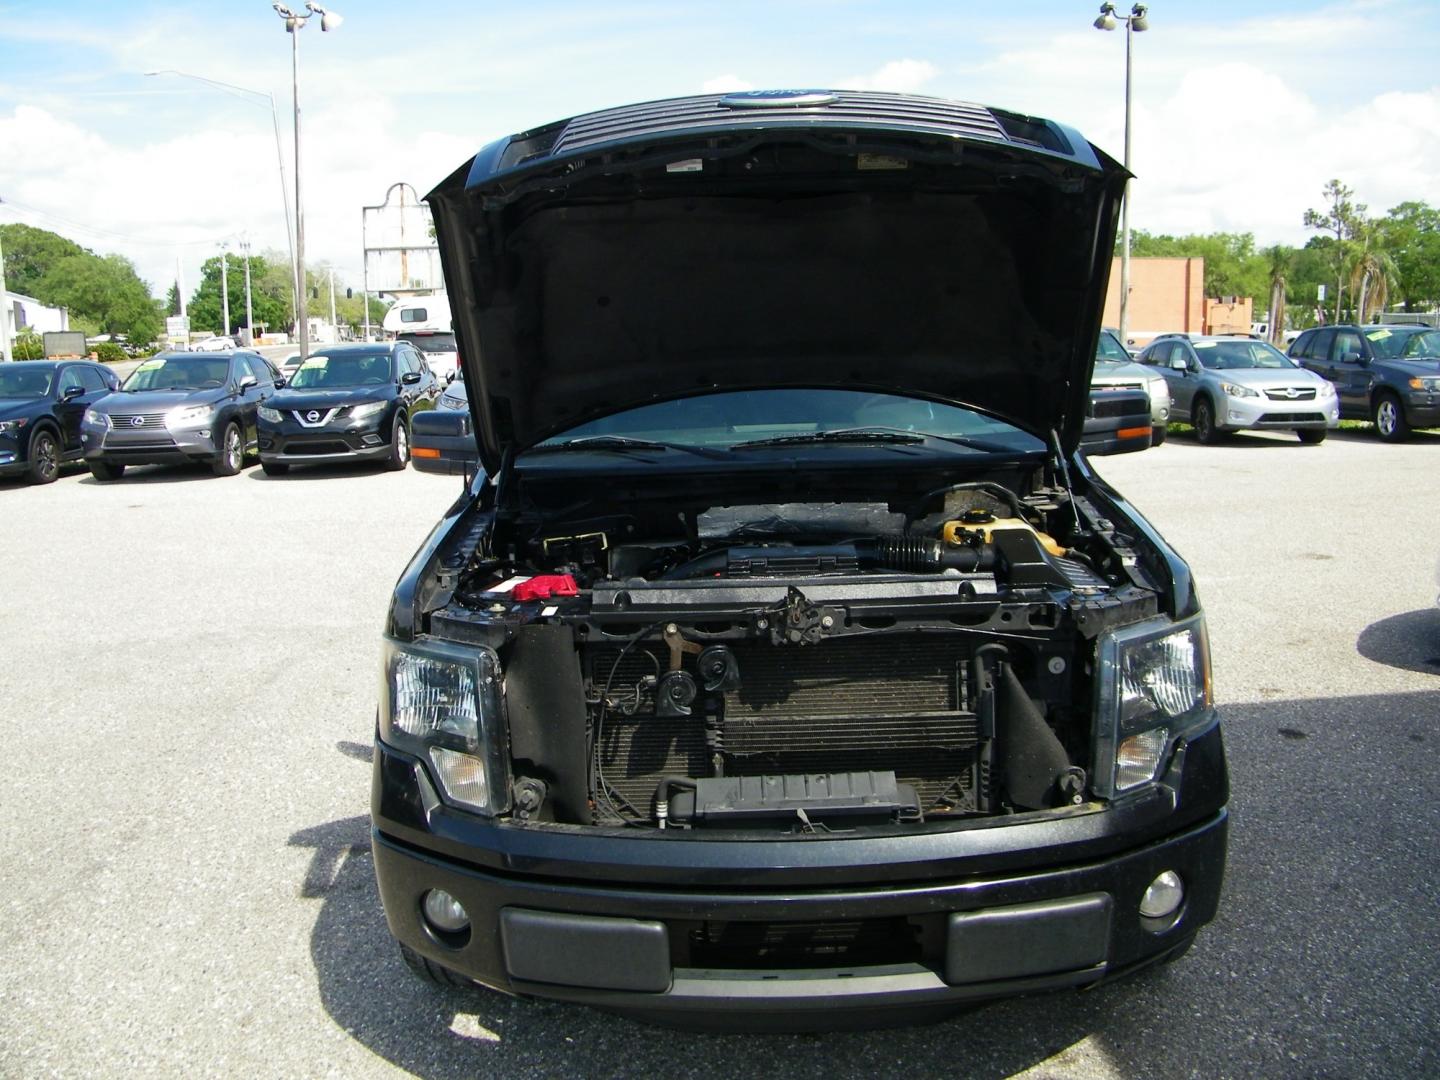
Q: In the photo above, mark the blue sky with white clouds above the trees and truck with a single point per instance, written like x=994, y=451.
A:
x=1243, y=112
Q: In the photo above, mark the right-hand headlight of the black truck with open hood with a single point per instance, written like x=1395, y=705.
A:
x=1153, y=688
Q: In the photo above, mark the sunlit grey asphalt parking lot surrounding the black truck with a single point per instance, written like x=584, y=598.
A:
x=189, y=670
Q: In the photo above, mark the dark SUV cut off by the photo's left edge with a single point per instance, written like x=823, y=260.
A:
x=42, y=404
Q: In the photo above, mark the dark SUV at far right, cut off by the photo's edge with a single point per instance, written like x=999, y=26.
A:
x=1389, y=375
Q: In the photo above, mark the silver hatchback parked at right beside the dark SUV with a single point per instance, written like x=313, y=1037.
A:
x=1222, y=385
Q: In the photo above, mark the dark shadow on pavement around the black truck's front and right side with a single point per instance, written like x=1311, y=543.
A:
x=1320, y=961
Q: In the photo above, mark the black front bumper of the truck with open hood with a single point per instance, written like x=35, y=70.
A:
x=803, y=932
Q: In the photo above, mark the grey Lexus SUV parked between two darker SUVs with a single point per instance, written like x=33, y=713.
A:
x=181, y=408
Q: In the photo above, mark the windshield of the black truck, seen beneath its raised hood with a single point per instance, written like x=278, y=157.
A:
x=728, y=420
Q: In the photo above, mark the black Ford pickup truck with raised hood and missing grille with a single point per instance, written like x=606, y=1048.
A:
x=784, y=662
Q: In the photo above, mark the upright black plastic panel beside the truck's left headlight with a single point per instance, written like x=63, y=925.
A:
x=545, y=698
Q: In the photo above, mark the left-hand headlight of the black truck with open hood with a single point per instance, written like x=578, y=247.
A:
x=443, y=705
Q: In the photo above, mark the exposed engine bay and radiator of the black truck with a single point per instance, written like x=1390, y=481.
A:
x=796, y=666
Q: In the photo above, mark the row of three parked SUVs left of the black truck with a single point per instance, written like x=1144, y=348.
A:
x=349, y=402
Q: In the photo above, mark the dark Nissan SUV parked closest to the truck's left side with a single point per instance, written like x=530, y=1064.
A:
x=348, y=404
